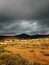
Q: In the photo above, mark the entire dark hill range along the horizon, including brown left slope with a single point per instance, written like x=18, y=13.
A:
x=24, y=36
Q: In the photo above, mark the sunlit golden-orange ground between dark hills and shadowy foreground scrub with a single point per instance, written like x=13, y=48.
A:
x=33, y=50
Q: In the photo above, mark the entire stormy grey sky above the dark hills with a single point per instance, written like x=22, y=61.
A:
x=24, y=16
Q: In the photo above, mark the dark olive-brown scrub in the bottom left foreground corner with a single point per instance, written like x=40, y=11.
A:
x=12, y=59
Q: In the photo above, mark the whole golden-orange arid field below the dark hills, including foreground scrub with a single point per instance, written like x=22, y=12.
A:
x=31, y=51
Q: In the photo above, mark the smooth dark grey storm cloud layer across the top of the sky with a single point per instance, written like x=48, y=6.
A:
x=24, y=9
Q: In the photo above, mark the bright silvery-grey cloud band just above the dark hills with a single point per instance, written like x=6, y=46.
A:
x=24, y=26
